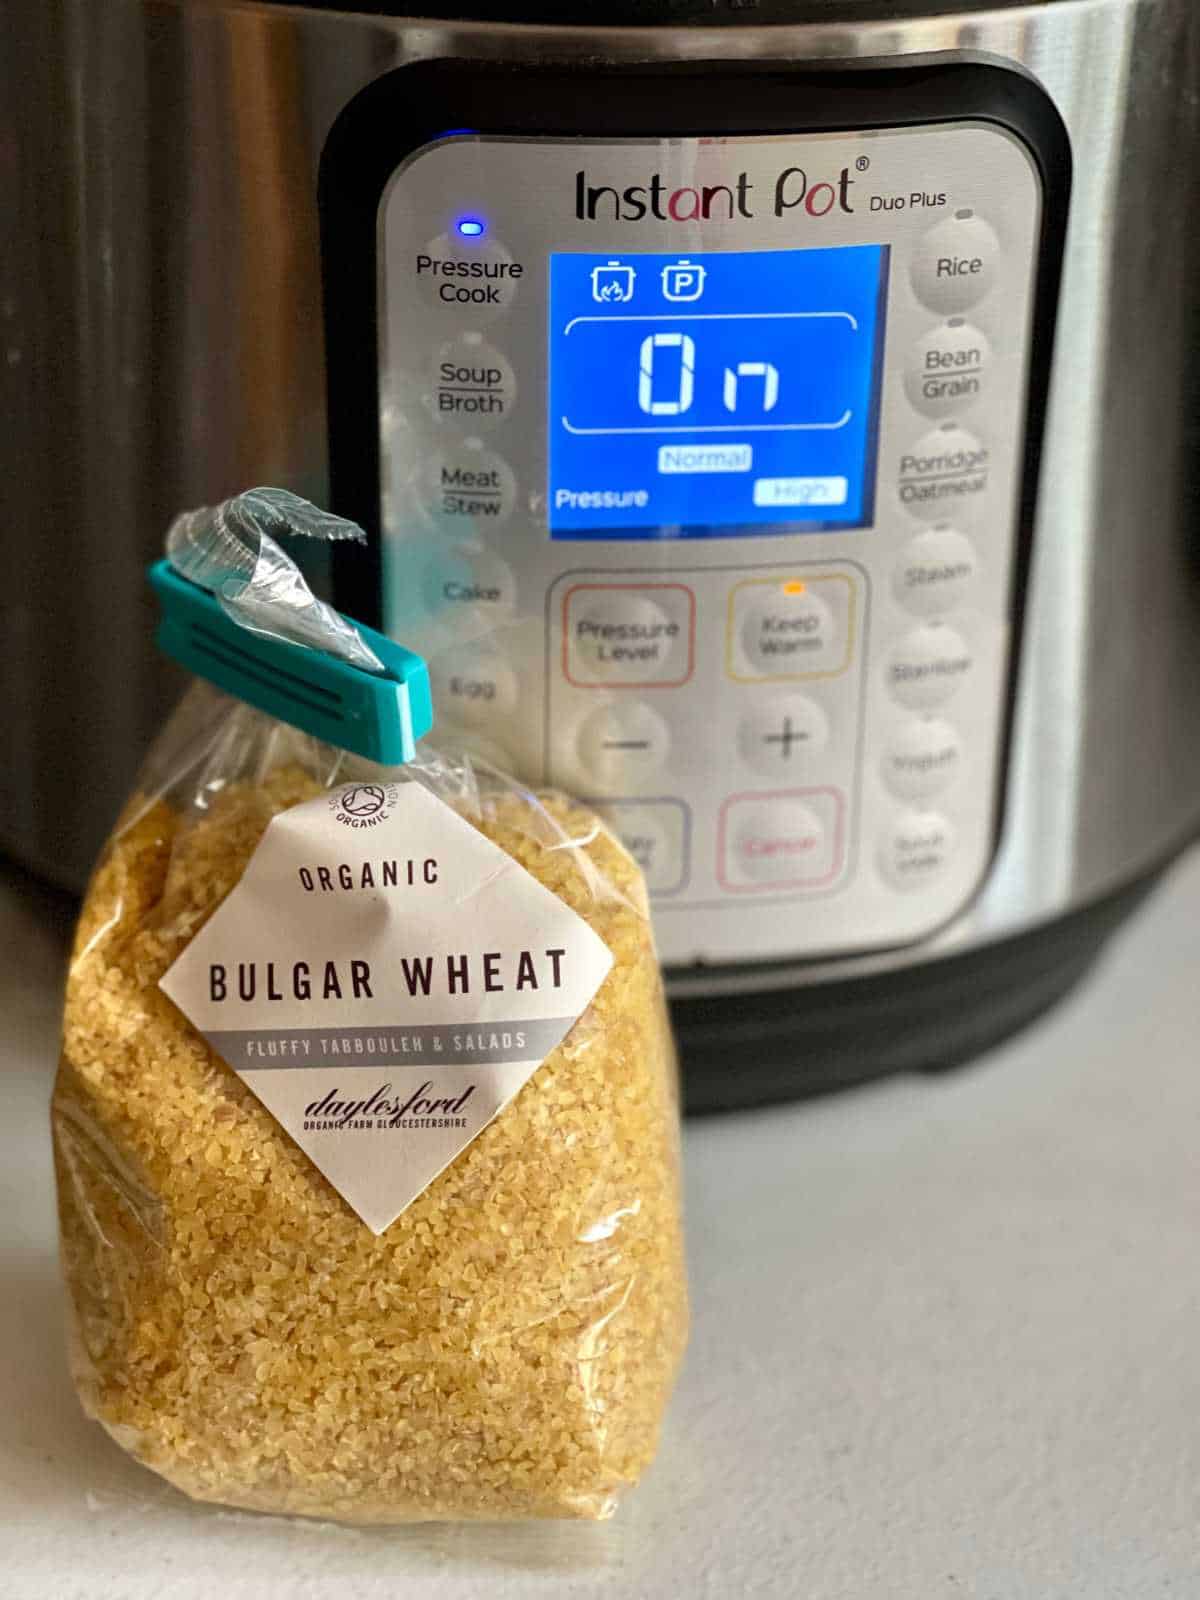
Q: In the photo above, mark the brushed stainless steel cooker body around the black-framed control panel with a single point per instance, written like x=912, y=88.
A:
x=166, y=346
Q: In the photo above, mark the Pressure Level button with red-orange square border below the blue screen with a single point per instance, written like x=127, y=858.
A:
x=628, y=634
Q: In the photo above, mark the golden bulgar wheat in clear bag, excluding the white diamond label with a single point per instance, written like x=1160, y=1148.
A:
x=506, y=1348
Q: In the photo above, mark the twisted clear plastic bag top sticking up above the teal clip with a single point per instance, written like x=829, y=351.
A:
x=231, y=551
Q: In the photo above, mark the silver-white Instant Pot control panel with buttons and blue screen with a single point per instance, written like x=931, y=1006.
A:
x=700, y=487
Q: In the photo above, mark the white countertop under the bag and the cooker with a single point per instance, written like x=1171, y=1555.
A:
x=946, y=1345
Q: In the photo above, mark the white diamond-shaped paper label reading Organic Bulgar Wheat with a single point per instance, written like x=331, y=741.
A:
x=386, y=978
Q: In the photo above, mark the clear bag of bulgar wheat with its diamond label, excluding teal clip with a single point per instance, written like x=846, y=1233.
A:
x=366, y=1124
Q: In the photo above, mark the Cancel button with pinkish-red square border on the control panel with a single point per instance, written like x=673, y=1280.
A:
x=786, y=841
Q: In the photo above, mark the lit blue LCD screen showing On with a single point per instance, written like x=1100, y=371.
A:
x=714, y=394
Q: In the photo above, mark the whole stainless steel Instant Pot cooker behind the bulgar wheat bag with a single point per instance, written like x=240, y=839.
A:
x=775, y=422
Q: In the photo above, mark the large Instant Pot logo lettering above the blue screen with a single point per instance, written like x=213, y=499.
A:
x=794, y=191
